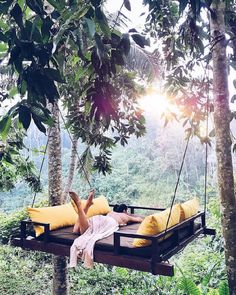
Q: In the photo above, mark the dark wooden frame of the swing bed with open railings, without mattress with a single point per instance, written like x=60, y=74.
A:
x=155, y=264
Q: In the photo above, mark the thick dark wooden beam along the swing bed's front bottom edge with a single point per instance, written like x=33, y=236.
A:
x=131, y=262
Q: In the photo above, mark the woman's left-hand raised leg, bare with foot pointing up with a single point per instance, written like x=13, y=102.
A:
x=81, y=224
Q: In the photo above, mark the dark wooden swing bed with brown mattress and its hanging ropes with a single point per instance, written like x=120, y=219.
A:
x=117, y=249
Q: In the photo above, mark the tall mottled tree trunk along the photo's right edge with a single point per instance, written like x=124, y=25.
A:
x=223, y=141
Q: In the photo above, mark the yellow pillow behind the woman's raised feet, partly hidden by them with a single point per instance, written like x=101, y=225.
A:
x=100, y=206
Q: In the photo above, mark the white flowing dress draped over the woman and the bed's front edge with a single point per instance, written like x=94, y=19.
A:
x=99, y=227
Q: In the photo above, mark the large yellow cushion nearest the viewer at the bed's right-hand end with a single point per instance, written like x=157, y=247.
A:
x=156, y=223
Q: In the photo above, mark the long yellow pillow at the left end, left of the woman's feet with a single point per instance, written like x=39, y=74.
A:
x=56, y=216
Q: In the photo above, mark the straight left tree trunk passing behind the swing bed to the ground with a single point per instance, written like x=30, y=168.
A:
x=55, y=198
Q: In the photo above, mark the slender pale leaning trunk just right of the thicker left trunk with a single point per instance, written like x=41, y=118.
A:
x=73, y=161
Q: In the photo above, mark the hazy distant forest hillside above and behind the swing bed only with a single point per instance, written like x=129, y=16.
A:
x=143, y=173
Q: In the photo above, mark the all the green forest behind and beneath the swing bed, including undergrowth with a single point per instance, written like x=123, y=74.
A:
x=144, y=173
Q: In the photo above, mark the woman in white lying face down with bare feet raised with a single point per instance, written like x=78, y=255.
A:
x=94, y=228
